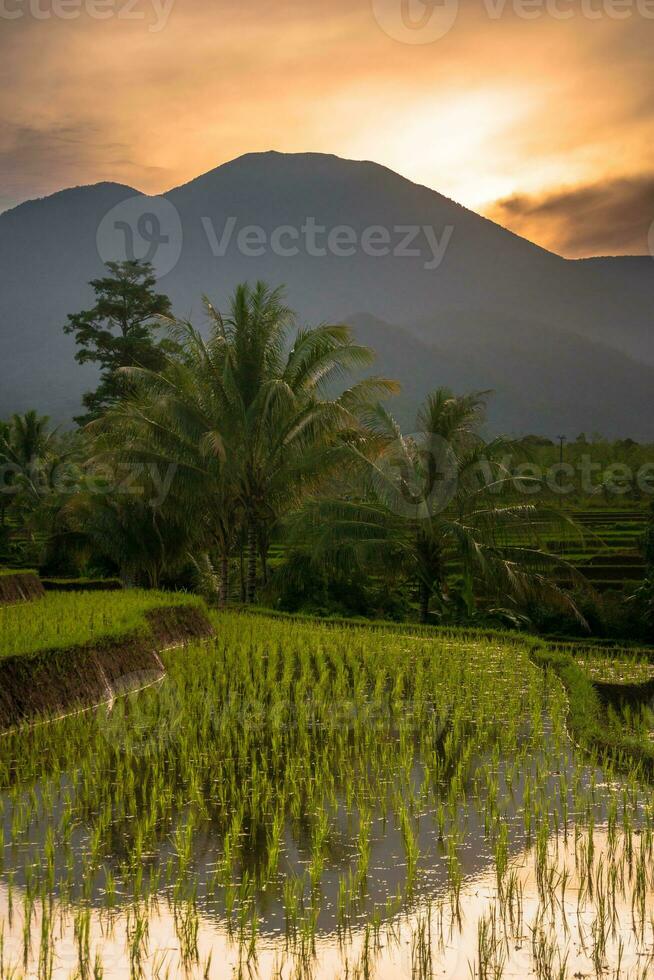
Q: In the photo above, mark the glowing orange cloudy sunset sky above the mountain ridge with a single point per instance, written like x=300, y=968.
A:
x=536, y=113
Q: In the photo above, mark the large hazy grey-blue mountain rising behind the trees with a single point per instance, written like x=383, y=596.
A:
x=566, y=345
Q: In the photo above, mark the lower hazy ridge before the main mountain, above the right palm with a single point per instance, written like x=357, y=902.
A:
x=546, y=382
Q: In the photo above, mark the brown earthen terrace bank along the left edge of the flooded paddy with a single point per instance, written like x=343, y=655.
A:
x=55, y=682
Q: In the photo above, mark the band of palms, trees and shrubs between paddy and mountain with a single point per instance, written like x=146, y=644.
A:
x=257, y=462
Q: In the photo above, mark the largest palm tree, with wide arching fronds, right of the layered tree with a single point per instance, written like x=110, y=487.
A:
x=247, y=417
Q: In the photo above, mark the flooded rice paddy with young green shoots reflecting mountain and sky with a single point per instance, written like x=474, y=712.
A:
x=298, y=799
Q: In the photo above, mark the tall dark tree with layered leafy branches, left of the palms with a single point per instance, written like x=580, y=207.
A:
x=118, y=332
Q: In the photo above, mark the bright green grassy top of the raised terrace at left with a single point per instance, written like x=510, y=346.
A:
x=60, y=620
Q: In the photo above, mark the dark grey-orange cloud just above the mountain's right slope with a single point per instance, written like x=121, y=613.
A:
x=612, y=216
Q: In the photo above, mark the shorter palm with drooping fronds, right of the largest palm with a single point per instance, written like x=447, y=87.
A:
x=429, y=502
